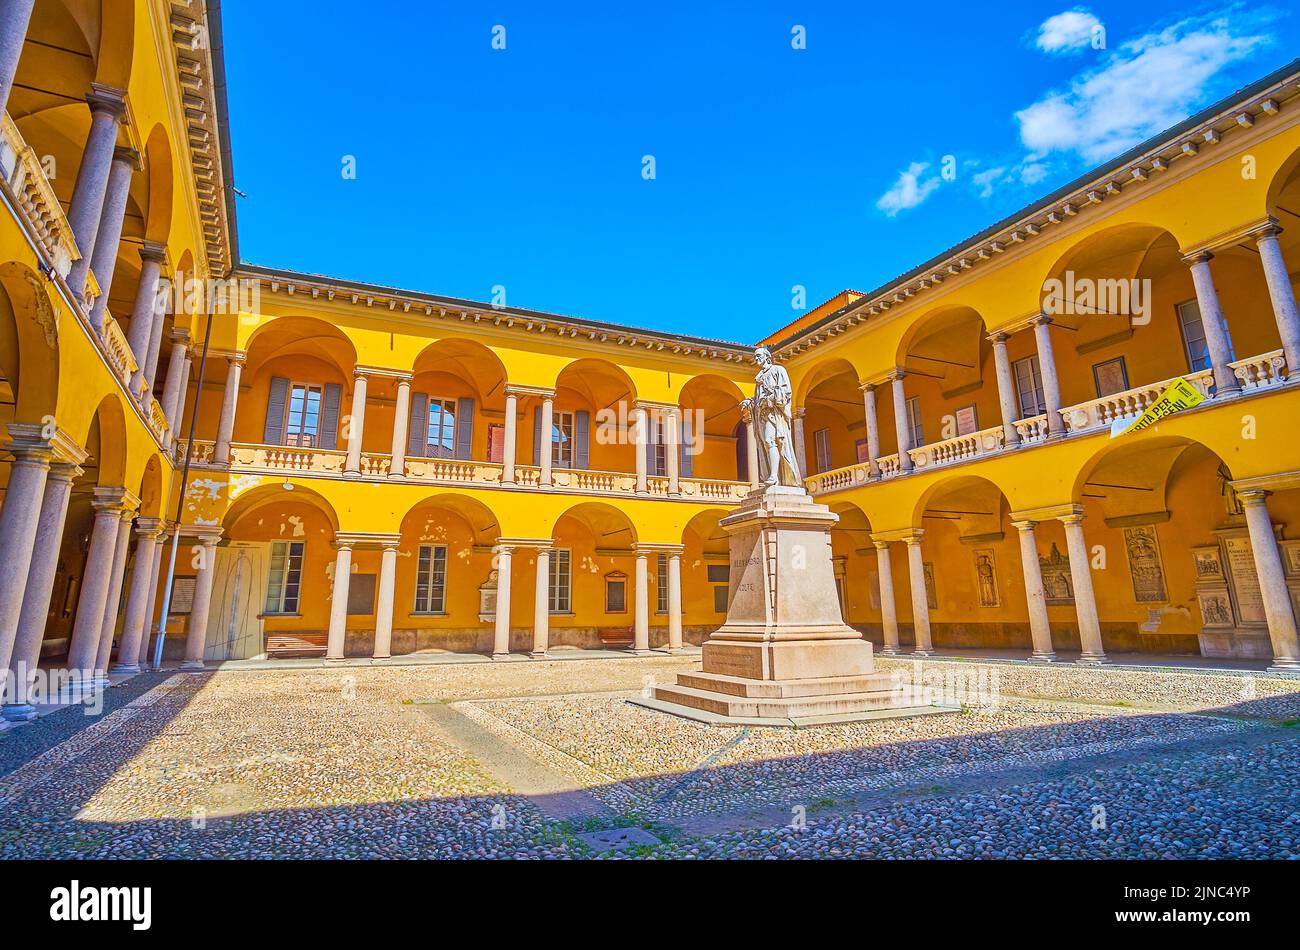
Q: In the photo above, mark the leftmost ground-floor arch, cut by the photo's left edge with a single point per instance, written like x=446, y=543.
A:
x=29, y=344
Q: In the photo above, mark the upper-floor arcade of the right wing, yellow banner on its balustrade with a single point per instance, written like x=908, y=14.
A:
x=1224, y=319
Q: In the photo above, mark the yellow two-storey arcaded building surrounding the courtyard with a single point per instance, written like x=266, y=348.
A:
x=378, y=472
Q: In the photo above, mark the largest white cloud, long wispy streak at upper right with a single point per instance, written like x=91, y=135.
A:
x=1146, y=86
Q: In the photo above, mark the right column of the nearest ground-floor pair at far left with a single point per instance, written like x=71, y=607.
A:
x=41, y=584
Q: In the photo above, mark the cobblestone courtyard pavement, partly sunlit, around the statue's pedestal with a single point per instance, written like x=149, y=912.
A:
x=527, y=760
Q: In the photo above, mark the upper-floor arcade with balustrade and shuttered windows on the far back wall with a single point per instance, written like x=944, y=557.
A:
x=297, y=402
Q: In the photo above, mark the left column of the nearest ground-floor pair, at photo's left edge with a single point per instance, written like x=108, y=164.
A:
x=20, y=519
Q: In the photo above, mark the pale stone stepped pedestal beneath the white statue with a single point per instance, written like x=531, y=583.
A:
x=785, y=657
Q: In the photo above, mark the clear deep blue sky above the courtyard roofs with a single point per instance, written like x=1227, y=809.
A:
x=774, y=167
